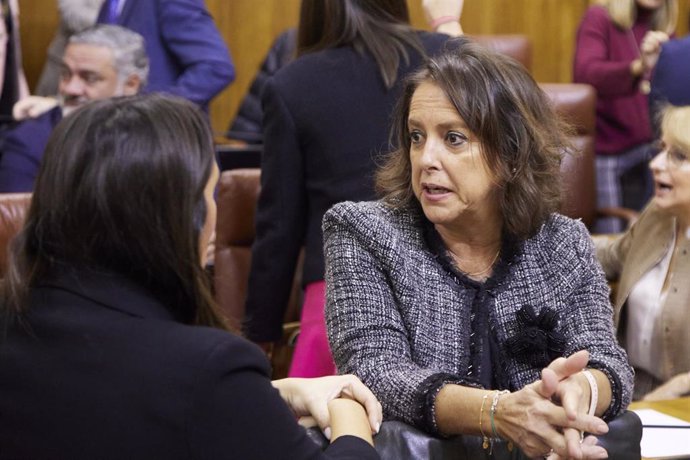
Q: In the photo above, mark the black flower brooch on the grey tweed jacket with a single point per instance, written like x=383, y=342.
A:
x=536, y=342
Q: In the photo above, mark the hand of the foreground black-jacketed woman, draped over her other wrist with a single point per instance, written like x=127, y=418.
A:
x=310, y=397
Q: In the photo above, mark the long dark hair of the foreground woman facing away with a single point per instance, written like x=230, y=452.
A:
x=121, y=190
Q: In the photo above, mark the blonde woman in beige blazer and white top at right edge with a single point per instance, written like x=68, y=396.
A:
x=651, y=262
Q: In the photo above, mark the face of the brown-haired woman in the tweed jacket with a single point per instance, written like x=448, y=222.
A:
x=450, y=178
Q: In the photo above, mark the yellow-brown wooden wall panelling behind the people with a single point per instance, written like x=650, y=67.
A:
x=250, y=26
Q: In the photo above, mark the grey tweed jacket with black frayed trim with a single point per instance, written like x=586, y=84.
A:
x=401, y=322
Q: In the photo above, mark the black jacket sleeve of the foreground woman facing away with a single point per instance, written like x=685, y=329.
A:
x=261, y=426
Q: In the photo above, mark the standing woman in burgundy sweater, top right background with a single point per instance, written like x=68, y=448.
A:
x=609, y=55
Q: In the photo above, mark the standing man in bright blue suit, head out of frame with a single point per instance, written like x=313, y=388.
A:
x=188, y=56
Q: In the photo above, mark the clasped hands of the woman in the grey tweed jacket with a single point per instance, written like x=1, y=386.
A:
x=546, y=417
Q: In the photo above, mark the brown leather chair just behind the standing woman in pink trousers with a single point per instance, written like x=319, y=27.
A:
x=238, y=193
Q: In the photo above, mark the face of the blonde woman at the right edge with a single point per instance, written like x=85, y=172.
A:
x=671, y=170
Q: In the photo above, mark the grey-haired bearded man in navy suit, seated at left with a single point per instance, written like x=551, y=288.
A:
x=102, y=62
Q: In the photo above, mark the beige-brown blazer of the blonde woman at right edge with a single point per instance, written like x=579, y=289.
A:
x=628, y=256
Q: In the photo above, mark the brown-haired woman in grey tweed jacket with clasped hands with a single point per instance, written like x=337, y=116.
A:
x=463, y=280
